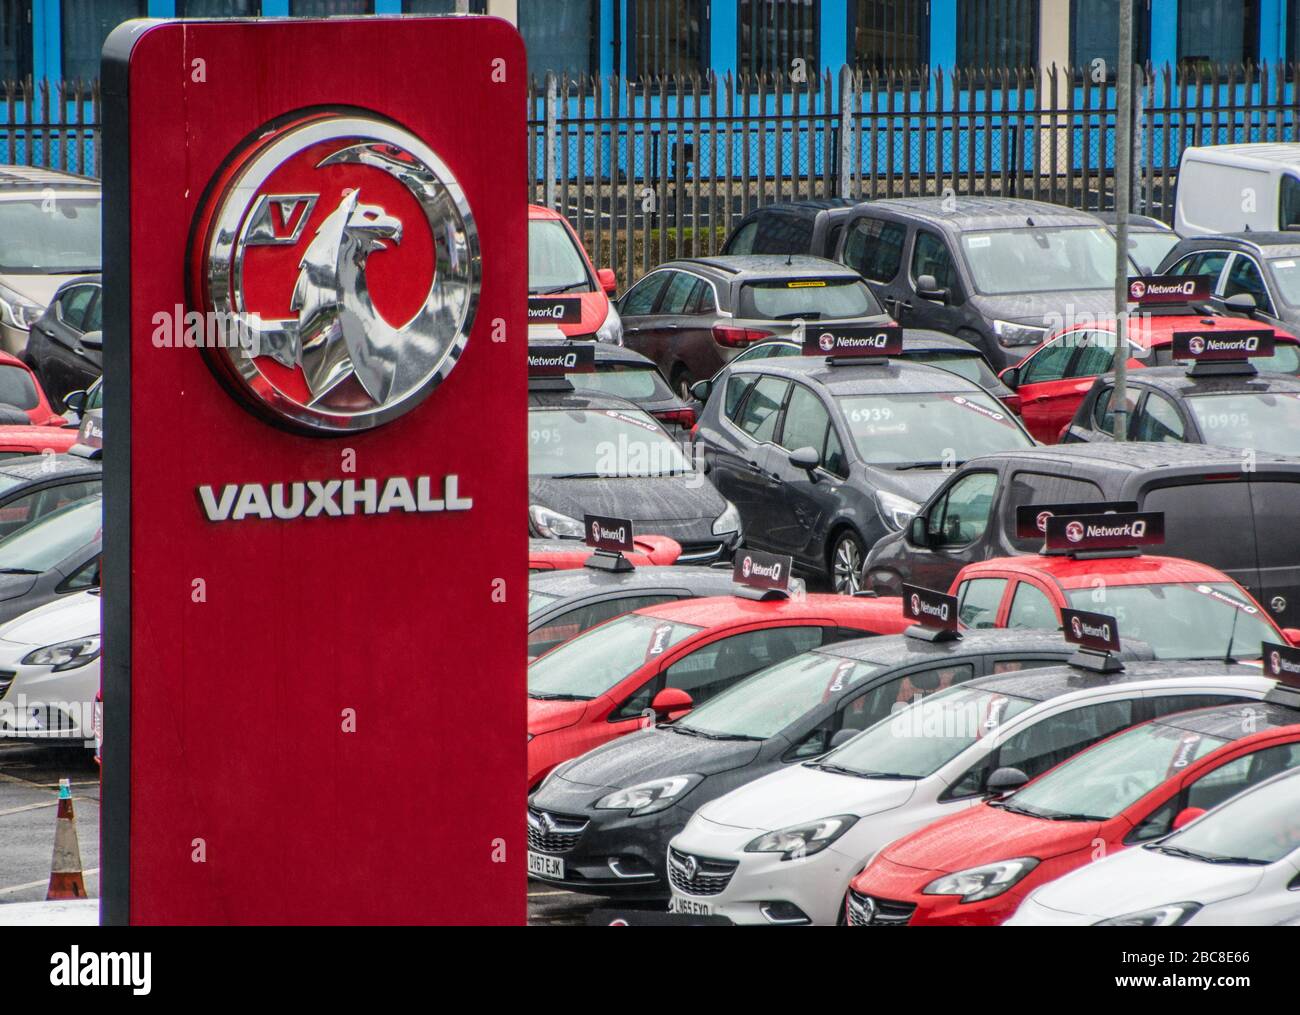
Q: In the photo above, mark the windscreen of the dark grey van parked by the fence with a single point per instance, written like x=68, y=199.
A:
x=1059, y=259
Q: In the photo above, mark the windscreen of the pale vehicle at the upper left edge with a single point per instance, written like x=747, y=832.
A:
x=38, y=241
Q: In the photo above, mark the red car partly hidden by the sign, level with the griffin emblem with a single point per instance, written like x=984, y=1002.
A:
x=558, y=266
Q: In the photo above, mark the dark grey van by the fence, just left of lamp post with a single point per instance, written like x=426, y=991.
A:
x=998, y=272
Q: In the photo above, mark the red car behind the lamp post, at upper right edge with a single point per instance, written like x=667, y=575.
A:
x=1052, y=381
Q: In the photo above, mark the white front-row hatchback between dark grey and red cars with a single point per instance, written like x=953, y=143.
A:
x=783, y=849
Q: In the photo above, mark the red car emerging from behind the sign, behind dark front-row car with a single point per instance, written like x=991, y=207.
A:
x=657, y=663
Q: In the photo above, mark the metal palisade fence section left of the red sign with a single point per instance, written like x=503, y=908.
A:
x=54, y=125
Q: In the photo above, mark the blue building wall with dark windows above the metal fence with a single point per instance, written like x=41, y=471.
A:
x=62, y=38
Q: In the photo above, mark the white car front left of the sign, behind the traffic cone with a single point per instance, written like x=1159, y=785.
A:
x=50, y=671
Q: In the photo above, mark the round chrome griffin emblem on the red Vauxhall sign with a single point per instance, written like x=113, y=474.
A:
x=345, y=254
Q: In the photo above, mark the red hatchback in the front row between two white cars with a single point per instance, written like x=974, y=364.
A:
x=976, y=867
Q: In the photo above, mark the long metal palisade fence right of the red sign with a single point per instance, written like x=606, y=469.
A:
x=662, y=168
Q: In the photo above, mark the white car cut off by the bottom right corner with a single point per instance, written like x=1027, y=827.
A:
x=1236, y=866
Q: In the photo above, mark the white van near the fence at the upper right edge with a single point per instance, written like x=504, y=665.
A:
x=1234, y=188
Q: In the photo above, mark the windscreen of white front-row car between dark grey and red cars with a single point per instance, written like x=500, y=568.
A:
x=924, y=738
